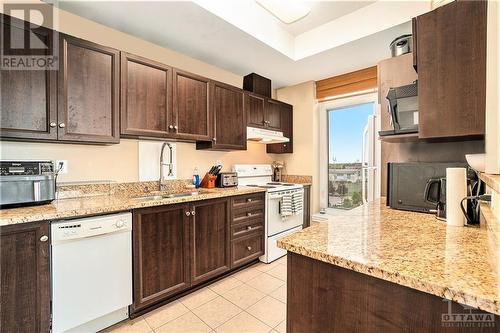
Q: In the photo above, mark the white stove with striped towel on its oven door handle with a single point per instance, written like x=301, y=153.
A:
x=284, y=205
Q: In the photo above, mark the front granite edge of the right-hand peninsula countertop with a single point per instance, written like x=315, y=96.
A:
x=489, y=305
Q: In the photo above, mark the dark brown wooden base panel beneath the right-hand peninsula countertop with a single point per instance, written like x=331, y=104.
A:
x=322, y=297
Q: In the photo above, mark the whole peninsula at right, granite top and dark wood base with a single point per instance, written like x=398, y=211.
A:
x=375, y=269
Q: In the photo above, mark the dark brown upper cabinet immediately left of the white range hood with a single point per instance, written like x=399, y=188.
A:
x=229, y=119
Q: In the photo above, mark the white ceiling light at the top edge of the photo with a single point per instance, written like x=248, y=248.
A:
x=286, y=11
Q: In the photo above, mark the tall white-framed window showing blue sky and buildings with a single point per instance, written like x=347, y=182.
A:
x=349, y=152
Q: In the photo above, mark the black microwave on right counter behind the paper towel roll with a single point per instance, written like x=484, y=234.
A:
x=406, y=184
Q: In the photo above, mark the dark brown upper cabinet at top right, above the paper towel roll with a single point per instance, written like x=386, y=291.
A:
x=451, y=63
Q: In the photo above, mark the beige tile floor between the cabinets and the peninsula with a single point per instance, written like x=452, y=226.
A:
x=252, y=300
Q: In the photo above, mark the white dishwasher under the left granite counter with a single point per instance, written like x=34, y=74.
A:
x=91, y=272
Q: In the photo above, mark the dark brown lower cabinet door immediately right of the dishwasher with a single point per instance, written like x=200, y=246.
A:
x=160, y=253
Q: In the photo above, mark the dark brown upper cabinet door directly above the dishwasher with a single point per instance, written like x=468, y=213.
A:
x=88, y=103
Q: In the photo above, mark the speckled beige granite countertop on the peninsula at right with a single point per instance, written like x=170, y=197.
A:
x=411, y=249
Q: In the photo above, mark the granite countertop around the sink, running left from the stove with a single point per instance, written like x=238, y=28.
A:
x=77, y=207
